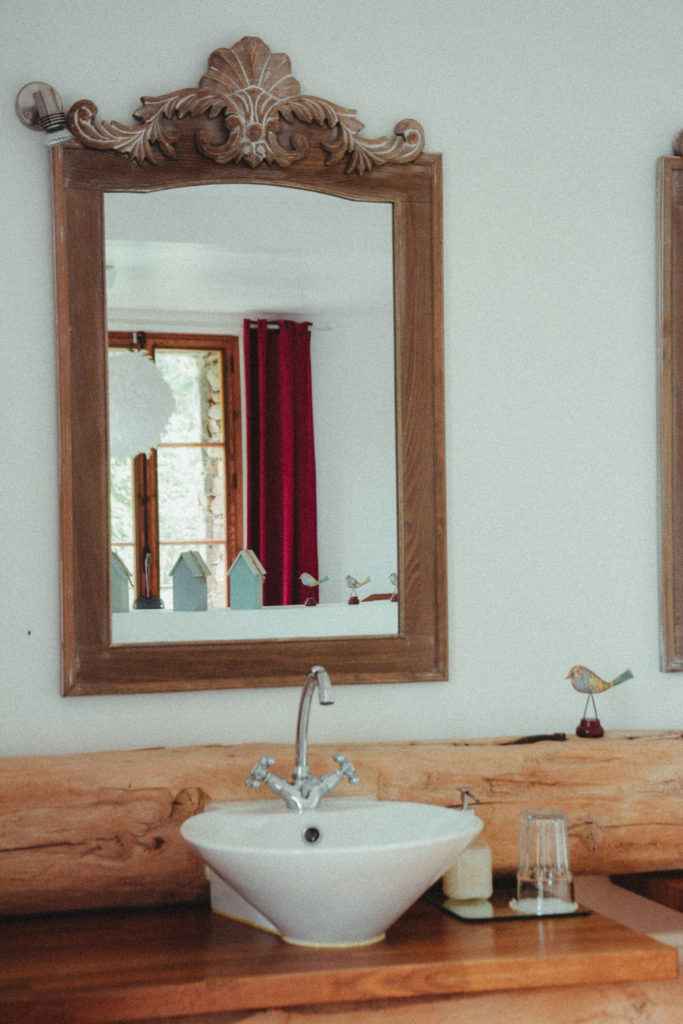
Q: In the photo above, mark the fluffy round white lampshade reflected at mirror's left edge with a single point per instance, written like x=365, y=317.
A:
x=141, y=404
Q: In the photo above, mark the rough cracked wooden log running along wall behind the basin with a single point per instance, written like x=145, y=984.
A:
x=103, y=830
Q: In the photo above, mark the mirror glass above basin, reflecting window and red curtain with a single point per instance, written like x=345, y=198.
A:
x=186, y=269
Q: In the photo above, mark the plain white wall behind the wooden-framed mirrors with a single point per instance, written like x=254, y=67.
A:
x=550, y=116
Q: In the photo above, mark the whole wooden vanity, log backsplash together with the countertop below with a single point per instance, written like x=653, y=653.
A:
x=108, y=921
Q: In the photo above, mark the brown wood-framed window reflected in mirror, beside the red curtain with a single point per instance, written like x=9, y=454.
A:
x=187, y=494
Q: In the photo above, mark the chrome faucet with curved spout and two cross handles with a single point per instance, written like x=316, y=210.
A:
x=306, y=791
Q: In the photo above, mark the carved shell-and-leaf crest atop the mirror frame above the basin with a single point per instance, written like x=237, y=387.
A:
x=265, y=117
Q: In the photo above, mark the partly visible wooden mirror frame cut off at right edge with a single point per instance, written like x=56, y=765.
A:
x=670, y=276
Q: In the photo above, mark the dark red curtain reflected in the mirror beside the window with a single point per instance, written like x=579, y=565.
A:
x=282, y=513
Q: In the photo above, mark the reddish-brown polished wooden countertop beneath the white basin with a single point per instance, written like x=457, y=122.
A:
x=123, y=966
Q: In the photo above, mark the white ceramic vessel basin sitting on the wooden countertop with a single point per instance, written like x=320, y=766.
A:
x=338, y=876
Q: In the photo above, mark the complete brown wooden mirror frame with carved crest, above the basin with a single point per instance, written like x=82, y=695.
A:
x=247, y=122
